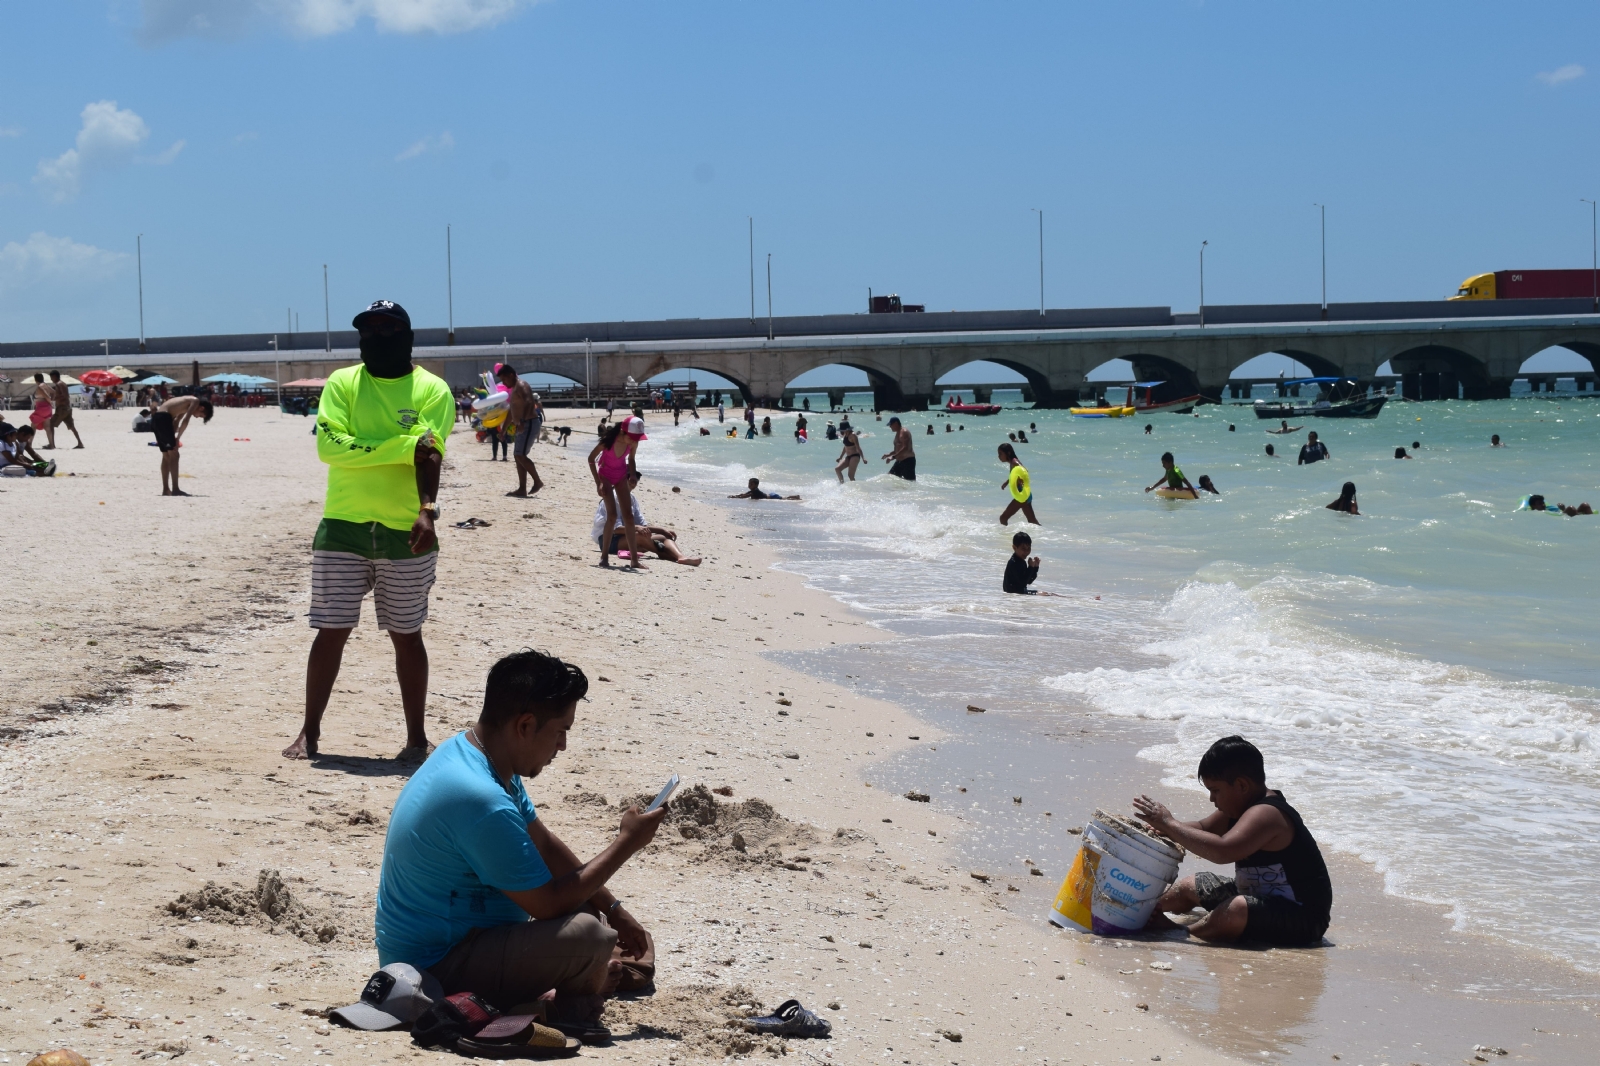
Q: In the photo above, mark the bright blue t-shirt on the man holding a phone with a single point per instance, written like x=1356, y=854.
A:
x=457, y=840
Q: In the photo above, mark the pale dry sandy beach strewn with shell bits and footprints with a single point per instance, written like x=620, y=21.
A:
x=174, y=888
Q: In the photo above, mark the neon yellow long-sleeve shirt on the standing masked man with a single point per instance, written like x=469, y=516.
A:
x=367, y=431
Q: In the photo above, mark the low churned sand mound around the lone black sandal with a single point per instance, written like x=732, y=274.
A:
x=705, y=1019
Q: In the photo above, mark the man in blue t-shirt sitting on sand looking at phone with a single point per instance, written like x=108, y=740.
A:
x=478, y=891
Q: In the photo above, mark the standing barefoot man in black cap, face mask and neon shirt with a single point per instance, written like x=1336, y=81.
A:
x=382, y=430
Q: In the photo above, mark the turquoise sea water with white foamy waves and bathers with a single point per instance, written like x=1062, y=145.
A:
x=1422, y=678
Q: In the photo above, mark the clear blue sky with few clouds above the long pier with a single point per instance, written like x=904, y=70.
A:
x=599, y=161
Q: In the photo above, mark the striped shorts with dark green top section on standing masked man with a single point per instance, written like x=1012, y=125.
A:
x=351, y=559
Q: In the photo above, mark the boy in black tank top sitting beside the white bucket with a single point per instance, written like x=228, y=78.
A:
x=1281, y=892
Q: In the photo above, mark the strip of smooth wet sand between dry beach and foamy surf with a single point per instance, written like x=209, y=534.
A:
x=1399, y=963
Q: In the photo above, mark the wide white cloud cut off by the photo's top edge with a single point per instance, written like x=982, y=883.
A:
x=167, y=20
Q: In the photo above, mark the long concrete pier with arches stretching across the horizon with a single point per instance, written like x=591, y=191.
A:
x=1439, y=350
